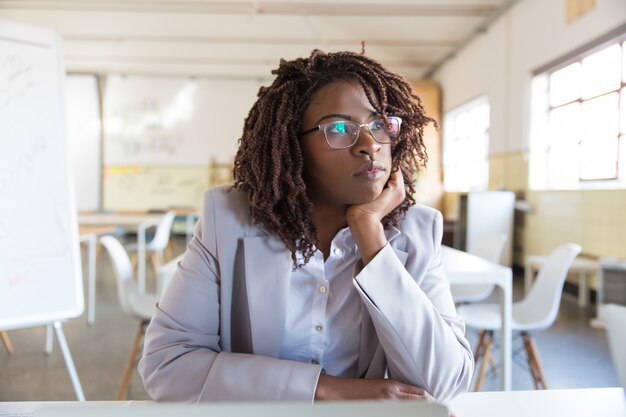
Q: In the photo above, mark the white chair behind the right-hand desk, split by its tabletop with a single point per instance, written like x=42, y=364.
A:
x=489, y=247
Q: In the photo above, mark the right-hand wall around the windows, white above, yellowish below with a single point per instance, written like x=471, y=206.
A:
x=500, y=63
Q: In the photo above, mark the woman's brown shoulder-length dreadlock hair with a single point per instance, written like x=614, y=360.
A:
x=269, y=161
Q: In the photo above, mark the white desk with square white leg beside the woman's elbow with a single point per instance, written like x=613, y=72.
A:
x=465, y=269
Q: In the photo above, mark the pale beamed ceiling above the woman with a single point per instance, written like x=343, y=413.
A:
x=246, y=39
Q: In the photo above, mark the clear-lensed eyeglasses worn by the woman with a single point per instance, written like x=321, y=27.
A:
x=344, y=133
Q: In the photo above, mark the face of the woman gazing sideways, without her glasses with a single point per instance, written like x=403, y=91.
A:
x=337, y=178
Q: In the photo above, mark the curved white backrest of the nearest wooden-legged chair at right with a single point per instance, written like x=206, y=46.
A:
x=541, y=305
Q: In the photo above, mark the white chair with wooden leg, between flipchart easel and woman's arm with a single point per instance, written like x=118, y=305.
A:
x=133, y=302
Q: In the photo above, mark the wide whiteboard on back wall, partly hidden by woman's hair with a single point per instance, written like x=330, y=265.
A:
x=173, y=121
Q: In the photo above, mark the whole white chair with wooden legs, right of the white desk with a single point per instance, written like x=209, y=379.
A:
x=535, y=312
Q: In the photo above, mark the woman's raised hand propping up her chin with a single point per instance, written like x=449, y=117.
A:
x=364, y=219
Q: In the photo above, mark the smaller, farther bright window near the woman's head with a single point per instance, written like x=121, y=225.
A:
x=466, y=147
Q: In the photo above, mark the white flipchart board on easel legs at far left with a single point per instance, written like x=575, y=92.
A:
x=40, y=271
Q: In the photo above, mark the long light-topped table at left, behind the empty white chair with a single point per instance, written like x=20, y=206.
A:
x=141, y=221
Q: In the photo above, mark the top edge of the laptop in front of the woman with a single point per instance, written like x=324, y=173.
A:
x=244, y=409
